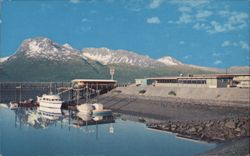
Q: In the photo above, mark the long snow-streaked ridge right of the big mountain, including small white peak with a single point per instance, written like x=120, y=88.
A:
x=108, y=56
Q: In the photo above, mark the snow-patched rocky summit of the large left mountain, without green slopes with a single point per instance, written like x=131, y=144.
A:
x=44, y=48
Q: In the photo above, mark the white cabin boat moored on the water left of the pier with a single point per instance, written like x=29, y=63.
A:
x=50, y=101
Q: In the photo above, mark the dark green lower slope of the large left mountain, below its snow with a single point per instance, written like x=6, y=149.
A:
x=21, y=69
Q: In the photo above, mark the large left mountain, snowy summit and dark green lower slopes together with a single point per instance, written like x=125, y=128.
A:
x=41, y=59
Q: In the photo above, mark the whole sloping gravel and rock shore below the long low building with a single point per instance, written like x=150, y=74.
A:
x=223, y=121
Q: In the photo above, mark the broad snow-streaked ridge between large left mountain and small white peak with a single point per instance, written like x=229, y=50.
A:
x=108, y=56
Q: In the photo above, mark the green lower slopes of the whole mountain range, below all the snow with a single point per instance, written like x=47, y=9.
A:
x=22, y=69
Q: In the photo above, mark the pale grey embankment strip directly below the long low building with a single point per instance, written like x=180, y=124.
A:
x=218, y=94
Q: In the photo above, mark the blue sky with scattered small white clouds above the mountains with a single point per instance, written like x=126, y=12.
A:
x=212, y=33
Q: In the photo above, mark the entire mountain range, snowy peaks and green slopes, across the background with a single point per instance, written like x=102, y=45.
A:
x=41, y=59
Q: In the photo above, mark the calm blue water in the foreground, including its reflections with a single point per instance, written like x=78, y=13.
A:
x=26, y=132
